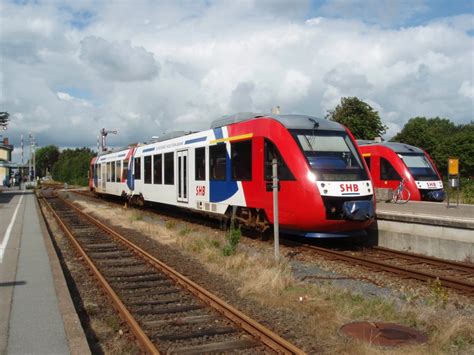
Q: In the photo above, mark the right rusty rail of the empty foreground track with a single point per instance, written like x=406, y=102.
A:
x=265, y=335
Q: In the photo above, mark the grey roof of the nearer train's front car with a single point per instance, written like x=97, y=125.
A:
x=291, y=121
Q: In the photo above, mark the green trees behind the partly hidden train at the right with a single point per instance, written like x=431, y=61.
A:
x=442, y=139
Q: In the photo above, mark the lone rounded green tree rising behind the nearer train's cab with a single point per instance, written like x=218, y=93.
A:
x=363, y=121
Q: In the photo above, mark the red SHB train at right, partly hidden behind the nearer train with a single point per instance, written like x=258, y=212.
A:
x=390, y=162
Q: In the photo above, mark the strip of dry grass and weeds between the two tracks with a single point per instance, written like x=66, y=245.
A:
x=308, y=315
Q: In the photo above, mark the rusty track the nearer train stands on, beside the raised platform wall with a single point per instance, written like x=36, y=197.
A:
x=454, y=275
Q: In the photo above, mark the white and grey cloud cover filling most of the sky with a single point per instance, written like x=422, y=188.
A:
x=149, y=67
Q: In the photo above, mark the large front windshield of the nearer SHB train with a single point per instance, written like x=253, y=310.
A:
x=331, y=155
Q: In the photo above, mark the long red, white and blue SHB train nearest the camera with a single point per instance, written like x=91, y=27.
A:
x=324, y=187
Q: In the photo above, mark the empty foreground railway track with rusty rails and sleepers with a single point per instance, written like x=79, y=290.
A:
x=167, y=312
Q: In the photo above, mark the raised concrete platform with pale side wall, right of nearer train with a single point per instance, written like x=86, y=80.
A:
x=429, y=228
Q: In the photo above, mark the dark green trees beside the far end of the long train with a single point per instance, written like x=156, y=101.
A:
x=73, y=166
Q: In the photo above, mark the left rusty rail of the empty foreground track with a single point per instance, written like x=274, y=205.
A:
x=119, y=306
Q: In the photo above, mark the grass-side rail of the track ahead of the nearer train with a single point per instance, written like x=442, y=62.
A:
x=446, y=281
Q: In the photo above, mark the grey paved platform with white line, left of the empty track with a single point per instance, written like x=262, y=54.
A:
x=37, y=315
